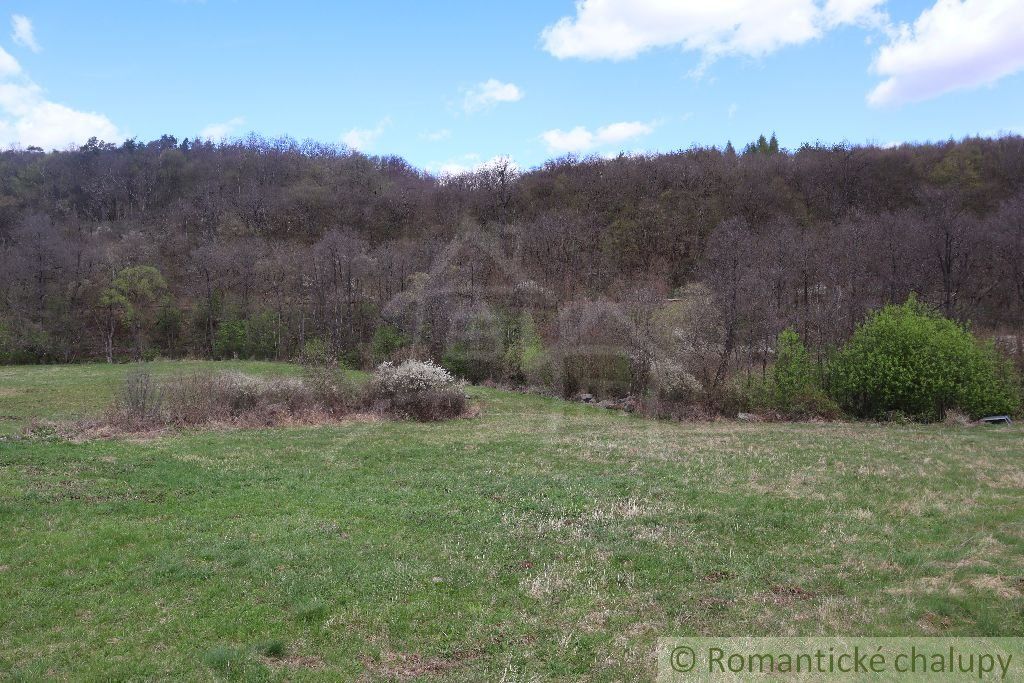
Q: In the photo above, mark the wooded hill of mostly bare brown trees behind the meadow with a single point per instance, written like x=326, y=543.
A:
x=155, y=248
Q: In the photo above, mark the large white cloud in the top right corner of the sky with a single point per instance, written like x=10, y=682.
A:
x=956, y=45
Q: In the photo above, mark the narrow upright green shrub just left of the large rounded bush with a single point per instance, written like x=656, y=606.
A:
x=793, y=386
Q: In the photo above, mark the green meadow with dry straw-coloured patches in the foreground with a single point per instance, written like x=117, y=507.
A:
x=542, y=540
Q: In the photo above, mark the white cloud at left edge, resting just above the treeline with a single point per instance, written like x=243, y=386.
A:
x=28, y=118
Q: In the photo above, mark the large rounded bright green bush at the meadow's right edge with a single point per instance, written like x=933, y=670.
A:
x=910, y=359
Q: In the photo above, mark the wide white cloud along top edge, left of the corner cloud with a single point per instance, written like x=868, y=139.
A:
x=624, y=29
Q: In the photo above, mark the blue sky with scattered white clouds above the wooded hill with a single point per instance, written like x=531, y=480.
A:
x=455, y=84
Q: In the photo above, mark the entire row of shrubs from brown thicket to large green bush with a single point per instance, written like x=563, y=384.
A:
x=905, y=361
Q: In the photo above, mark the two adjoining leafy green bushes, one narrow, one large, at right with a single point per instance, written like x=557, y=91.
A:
x=905, y=362
